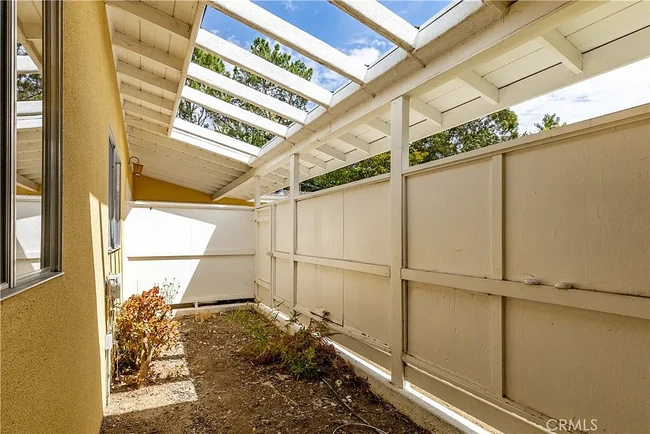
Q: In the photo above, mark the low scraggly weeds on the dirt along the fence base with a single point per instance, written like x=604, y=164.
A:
x=305, y=354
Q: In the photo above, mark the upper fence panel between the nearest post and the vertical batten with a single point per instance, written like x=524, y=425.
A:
x=448, y=217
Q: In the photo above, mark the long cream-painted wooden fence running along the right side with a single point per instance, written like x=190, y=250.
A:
x=570, y=205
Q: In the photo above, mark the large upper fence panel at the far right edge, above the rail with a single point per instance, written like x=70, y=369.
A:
x=579, y=211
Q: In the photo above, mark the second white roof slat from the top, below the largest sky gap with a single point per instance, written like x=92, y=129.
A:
x=291, y=36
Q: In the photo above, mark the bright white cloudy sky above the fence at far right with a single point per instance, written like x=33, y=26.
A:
x=613, y=91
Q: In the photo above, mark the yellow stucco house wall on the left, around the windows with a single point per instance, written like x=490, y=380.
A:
x=52, y=348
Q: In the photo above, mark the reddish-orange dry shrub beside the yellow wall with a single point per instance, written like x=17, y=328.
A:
x=144, y=328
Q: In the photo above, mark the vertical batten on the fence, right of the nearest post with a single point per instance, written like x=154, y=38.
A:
x=496, y=301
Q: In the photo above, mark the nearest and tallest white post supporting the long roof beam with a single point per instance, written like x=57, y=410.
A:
x=398, y=162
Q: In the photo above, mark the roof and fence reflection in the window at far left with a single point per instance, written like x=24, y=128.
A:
x=29, y=137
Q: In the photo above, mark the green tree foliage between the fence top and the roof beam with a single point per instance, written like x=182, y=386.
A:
x=488, y=130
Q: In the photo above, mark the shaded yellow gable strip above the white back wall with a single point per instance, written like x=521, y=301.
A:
x=147, y=188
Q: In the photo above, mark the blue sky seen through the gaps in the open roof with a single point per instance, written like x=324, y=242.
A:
x=328, y=23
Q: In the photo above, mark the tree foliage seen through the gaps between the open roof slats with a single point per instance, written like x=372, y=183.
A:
x=233, y=128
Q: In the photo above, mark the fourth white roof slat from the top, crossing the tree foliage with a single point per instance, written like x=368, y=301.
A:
x=231, y=87
